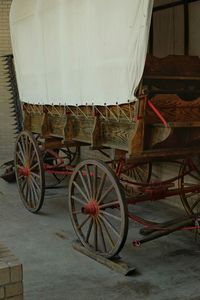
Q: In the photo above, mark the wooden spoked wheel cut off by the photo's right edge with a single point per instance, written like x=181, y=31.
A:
x=190, y=178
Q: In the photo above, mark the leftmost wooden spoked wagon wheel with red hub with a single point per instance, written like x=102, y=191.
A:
x=29, y=171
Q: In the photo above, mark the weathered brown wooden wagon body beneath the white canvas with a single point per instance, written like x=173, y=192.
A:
x=163, y=123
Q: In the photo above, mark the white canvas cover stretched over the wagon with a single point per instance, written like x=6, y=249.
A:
x=79, y=51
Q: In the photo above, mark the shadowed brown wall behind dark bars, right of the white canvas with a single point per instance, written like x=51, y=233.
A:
x=168, y=24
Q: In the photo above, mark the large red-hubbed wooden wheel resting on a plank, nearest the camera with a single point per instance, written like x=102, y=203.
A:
x=97, y=208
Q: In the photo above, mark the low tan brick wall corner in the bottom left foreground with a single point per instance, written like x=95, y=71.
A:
x=11, y=276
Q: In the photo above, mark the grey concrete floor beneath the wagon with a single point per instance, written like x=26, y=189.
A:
x=167, y=268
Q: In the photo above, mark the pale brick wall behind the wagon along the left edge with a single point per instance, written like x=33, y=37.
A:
x=6, y=130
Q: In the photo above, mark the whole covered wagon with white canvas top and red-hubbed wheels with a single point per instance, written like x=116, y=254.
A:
x=85, y=79
